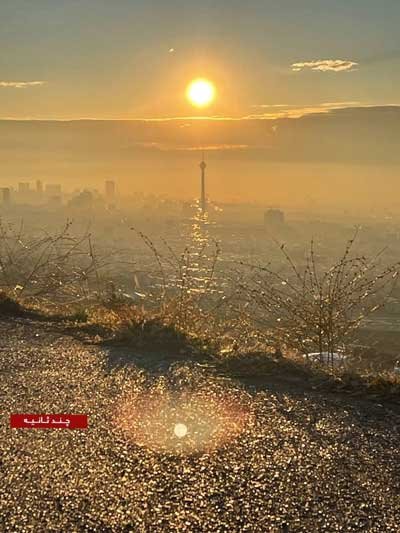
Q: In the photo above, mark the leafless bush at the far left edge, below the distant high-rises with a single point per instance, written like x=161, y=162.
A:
x=56, y=268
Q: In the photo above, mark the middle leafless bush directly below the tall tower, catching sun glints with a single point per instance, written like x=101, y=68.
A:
x=189, y=290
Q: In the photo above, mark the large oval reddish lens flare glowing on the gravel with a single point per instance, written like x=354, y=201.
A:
x=213, y=414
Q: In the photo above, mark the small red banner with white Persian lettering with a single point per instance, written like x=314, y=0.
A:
x=47, y=421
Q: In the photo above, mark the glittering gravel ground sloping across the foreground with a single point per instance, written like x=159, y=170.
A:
x=266, y=461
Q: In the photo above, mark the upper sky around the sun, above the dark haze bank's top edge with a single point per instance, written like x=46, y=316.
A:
x=104, y=59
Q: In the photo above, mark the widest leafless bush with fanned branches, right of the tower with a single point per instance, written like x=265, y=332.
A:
x=312, y=309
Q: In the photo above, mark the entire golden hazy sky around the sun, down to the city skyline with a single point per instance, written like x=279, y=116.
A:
x=307, y=96
